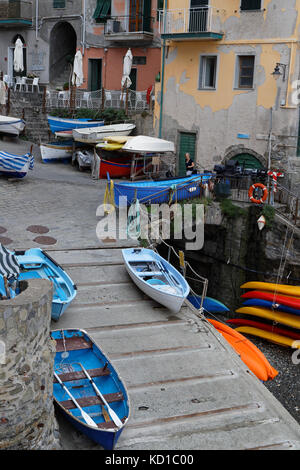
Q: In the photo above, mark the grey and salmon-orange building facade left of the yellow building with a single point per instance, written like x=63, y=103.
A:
x=52, y=31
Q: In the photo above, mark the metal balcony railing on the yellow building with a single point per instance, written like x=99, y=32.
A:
x=186, y=20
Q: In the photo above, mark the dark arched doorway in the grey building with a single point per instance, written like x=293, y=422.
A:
x=63, y=42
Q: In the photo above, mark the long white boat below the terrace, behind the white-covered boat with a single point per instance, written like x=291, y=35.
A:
x=94, y=135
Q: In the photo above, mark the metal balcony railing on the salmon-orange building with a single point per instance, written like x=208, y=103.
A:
x=129, y=24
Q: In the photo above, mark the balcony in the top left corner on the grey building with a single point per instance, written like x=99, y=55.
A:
x=15, y=13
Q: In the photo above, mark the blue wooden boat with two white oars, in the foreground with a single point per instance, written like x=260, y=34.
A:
x=88, y=389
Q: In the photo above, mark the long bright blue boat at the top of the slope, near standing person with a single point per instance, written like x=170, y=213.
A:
x=159, y=192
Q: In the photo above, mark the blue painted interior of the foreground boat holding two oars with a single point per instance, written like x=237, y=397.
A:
x=90, y=358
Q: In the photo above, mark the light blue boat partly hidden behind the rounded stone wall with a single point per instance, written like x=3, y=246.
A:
x=35, y=263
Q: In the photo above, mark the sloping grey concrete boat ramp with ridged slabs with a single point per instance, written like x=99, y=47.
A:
x=188, y=389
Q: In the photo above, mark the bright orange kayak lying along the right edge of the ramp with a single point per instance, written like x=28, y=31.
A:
x=248, y=352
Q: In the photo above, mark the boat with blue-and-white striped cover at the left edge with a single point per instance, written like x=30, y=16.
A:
x=16, y=166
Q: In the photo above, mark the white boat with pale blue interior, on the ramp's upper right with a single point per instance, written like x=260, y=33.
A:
x=156, y=277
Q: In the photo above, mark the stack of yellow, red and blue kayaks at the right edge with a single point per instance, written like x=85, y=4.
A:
x=274, y=303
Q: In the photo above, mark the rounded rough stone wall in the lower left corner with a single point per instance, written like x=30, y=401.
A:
x=27, y=420
